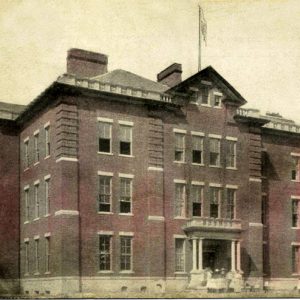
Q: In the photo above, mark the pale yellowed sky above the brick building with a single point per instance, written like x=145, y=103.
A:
x=253, y=44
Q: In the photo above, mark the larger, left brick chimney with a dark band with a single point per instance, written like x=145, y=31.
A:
x=86, y=63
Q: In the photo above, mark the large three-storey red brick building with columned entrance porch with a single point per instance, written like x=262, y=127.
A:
x=113, y=182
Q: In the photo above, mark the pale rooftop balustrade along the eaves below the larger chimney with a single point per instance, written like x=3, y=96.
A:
x=117, y=89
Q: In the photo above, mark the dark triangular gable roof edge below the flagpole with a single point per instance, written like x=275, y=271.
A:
x=211, y=74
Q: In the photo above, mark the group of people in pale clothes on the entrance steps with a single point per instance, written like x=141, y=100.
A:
x=221, y=281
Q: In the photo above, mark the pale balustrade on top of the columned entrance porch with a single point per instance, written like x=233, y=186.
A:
x=206, y=222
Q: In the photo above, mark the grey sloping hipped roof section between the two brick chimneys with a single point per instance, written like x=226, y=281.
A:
x=128, y=79
